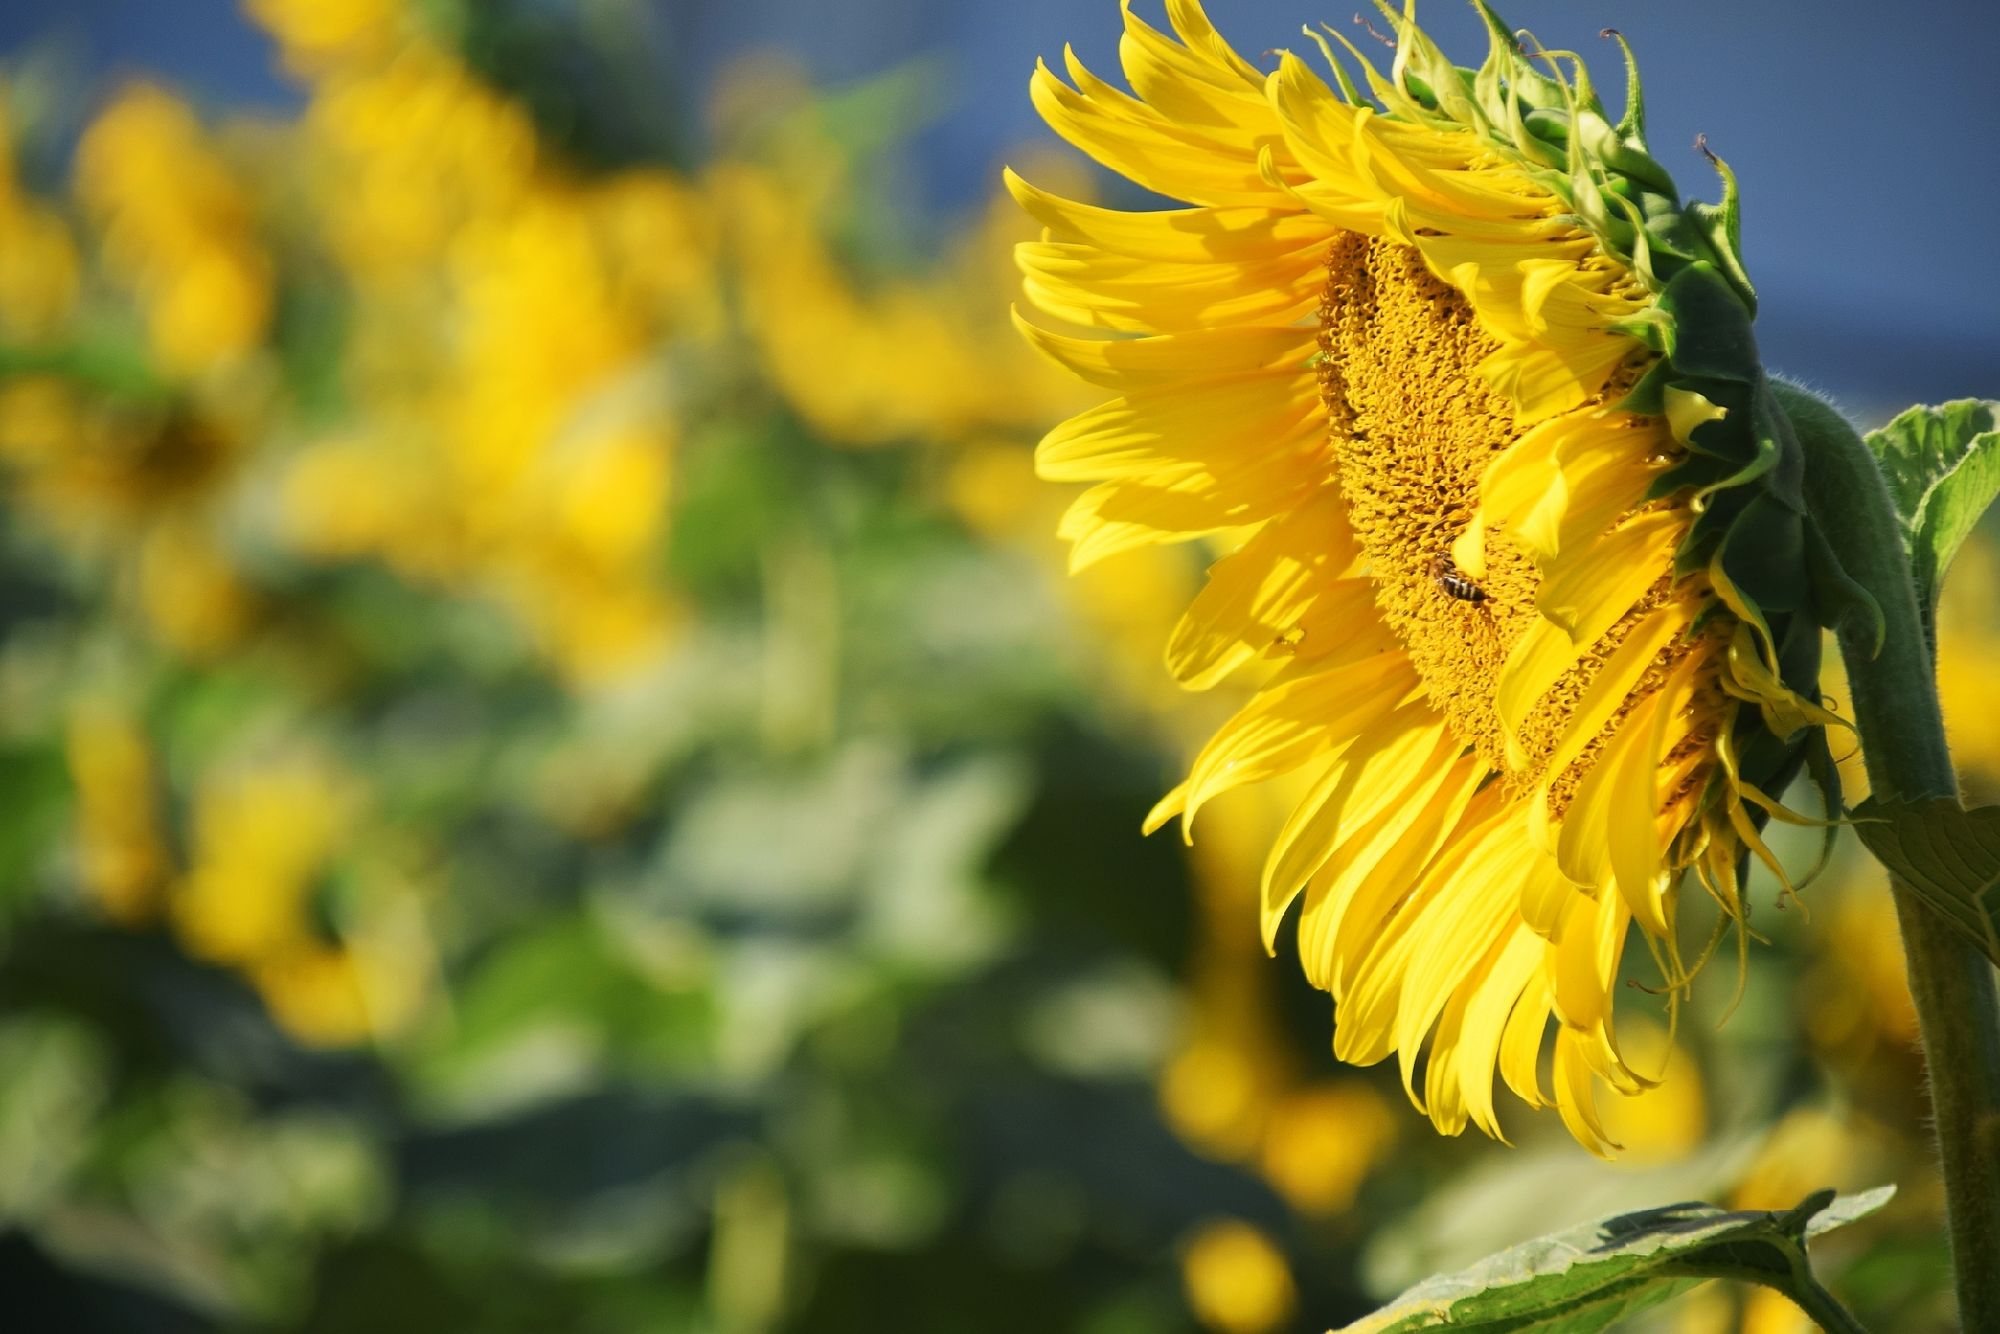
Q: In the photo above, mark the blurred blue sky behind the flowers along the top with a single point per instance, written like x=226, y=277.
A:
x=1867, y=135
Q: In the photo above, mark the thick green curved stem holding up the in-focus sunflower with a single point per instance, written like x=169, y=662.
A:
x=1903, y=745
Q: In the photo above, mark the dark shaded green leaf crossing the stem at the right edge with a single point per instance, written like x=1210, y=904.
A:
x=1947, y=855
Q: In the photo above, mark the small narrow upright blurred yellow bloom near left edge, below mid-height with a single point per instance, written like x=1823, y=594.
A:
x=123, y=857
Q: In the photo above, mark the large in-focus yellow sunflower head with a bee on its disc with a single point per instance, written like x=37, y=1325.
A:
x=1517, y=555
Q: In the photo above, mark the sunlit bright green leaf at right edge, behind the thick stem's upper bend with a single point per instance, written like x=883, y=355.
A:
x=1943, y=469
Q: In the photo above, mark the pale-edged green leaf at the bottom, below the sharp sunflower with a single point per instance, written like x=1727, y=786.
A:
x=1589, y=1277
